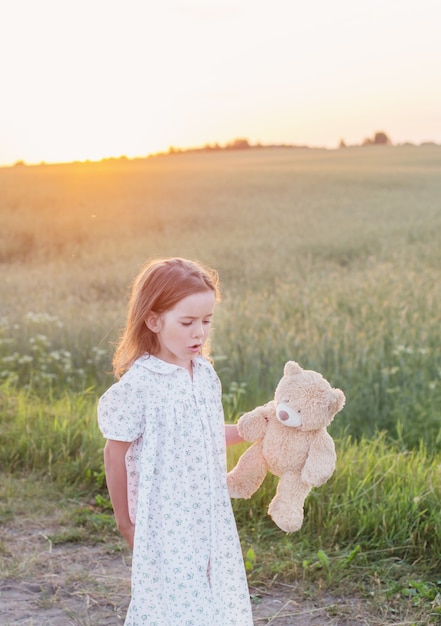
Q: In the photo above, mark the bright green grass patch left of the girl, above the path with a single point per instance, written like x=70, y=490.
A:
x=55, y=438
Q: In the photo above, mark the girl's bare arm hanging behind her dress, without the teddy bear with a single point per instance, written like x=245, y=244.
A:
x=116, y=478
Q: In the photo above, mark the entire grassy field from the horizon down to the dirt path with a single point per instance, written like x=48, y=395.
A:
x=330, y=258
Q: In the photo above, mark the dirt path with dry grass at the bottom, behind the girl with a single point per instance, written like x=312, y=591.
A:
x=80, y=585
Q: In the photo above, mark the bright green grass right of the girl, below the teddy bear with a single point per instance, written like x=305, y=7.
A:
x=382, y=500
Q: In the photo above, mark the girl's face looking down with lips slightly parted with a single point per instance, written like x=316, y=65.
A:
x=183, y=330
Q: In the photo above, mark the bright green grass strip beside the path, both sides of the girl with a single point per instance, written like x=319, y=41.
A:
x=380, y=506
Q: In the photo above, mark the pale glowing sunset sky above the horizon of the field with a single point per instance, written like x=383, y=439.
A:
x=90, y=79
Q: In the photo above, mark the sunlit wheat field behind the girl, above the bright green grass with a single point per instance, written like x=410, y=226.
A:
x=330, y=258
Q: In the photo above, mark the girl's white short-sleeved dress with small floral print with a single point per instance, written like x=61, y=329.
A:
x=187, y=567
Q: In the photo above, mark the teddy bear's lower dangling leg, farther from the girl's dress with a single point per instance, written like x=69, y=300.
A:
x=286, y=508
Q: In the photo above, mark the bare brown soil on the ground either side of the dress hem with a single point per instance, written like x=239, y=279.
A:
x=89, y=585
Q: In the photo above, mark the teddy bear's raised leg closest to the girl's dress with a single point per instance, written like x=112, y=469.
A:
x=247, y=476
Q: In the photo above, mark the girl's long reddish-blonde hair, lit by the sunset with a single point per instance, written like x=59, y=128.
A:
x=160, y=285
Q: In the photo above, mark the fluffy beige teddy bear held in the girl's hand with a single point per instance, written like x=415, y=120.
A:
x=291, y=441
